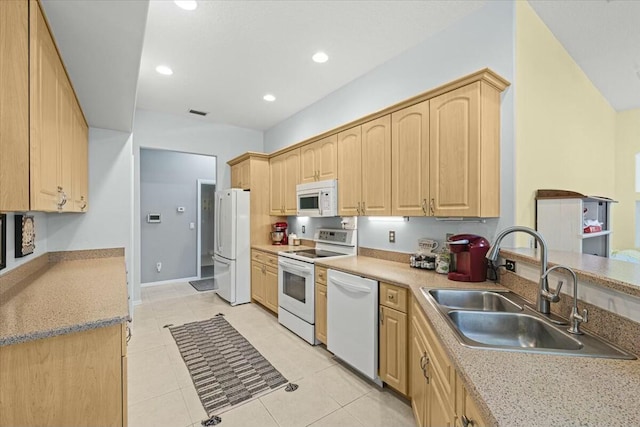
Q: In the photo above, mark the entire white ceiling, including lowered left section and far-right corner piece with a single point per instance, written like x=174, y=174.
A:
x=227, y=54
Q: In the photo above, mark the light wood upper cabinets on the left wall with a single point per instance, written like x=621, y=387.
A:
x=43, y=133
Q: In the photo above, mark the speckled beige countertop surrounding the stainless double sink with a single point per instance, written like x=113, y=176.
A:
x=520, y=389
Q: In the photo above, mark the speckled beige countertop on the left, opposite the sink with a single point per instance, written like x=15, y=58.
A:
x=62, y=297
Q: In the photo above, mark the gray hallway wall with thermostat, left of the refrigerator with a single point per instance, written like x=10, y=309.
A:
x=168, y=180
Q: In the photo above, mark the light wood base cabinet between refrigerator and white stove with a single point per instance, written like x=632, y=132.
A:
x=264, y=279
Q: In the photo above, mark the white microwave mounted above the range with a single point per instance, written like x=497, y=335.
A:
x=318, y=198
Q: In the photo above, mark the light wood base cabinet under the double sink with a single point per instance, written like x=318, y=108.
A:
x=438, y=397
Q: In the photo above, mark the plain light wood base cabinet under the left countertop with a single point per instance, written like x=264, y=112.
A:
x=76, y=379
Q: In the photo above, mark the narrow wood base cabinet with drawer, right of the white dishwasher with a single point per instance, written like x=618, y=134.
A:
x=393, y=336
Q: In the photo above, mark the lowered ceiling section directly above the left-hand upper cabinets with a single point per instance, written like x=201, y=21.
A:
x=100, y=42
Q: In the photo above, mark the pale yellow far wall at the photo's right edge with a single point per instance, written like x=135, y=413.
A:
x=627, y=145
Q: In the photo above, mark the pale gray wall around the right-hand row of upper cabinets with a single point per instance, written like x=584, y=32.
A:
x=482, y=39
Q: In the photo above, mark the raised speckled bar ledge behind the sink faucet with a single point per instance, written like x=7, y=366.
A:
x=619, y=275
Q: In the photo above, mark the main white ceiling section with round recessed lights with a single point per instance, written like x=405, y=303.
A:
x=227, y=54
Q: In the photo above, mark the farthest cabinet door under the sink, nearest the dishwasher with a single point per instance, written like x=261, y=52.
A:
x=418, y=383
